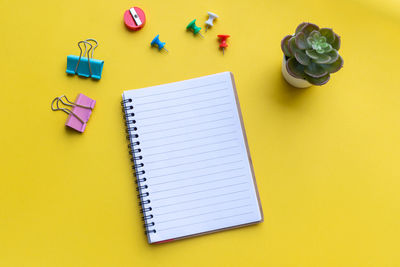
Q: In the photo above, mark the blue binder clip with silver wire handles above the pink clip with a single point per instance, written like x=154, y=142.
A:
x=85, y=66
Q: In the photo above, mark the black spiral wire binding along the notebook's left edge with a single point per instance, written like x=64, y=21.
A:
x=138, y=167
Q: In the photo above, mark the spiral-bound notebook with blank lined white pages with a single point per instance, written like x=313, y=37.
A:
x=191, y=158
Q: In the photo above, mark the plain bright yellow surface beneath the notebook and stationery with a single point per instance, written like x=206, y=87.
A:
x=326, y=158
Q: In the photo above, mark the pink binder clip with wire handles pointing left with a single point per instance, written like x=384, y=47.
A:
x=80, y=113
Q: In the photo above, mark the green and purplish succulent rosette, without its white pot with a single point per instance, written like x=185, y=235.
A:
x=312, y=53
